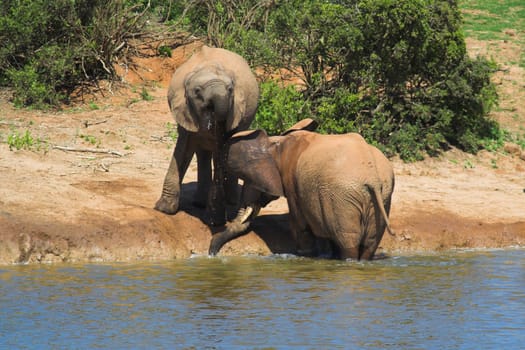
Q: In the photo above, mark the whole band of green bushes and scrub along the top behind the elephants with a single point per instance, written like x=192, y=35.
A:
x=395, y=71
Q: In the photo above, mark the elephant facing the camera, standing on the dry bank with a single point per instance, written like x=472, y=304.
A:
x=211, y=96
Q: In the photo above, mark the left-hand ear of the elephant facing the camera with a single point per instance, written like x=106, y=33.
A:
x=178, y=105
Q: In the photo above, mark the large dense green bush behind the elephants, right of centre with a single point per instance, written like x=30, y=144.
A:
x=396, y=71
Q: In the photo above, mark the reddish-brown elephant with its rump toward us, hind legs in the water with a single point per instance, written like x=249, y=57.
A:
x=338, y=188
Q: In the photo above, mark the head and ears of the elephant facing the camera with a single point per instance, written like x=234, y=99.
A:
x=213, y=85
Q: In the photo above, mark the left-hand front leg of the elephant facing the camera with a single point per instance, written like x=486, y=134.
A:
x=182, y=154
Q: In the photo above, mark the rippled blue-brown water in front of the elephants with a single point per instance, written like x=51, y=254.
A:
x=464, y=300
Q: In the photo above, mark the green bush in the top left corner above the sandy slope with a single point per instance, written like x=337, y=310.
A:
x=49, y=48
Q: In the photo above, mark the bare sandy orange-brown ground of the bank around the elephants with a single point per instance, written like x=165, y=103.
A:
x=67, y=205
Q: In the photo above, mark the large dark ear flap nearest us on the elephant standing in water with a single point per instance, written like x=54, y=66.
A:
x=249, y=158
